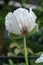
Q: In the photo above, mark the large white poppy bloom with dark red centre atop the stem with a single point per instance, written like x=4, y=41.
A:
x=20, y=21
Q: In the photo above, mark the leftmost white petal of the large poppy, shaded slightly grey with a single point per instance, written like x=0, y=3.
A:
x=11, y=24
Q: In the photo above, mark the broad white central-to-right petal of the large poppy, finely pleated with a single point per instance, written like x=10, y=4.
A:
x=25, y=18
